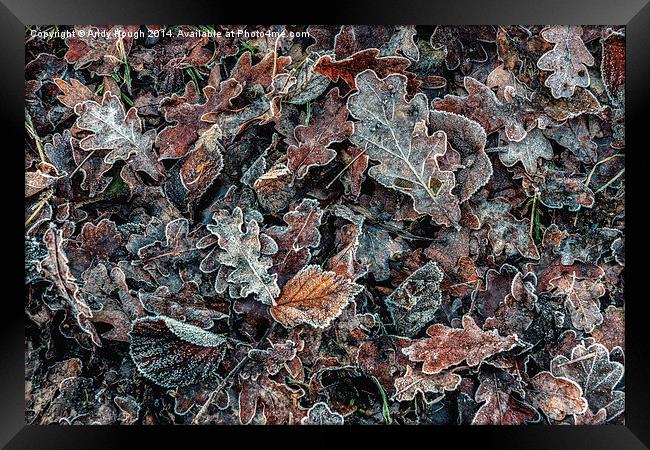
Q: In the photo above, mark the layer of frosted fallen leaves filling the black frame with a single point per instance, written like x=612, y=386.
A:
x=325, y=225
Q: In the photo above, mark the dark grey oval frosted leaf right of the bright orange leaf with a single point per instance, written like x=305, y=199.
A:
x=414, y=303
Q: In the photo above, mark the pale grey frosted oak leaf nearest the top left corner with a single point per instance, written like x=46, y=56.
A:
x=119, y=132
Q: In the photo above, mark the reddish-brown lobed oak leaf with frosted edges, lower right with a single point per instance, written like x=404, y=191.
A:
x=446, y=347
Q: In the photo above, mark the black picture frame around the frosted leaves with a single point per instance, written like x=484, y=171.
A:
x=635, y=14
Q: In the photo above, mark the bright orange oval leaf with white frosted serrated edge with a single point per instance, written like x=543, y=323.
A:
x=313, y=297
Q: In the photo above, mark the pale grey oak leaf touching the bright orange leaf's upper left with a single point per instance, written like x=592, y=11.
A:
x=243, y=266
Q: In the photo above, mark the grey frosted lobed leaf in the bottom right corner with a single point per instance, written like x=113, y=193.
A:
x=598, y=376
